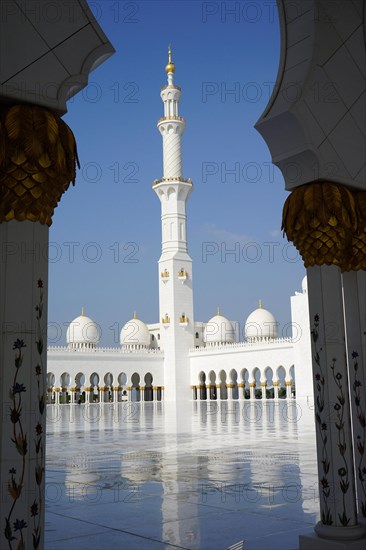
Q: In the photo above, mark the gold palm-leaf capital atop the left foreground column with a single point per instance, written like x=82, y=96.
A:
x=38, y=160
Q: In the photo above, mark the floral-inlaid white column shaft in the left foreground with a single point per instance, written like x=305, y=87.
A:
x=23, y=367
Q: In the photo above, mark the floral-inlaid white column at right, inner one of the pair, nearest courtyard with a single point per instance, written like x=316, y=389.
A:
x=332, y=412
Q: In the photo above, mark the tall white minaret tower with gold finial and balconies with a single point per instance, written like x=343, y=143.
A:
x=175, y=265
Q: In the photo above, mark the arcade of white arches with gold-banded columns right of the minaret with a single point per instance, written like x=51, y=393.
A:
x=256, y=383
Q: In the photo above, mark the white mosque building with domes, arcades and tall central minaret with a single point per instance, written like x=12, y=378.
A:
x=179, y=358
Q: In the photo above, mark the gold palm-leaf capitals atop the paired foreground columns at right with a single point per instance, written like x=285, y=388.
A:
x=327, y=224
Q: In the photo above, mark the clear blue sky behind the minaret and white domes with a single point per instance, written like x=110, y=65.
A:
x=105, y=240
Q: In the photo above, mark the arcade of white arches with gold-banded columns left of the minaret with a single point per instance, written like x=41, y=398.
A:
x=96, y=388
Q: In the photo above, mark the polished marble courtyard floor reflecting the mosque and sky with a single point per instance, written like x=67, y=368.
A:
x=135, y=476
